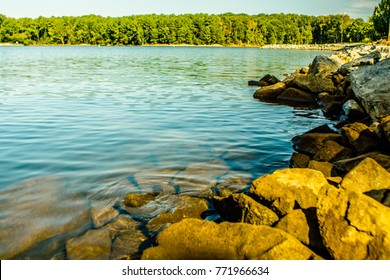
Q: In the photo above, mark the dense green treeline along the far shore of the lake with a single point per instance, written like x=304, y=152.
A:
x=193, y=29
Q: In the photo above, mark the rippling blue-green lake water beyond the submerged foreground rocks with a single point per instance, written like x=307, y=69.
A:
x=98, y=116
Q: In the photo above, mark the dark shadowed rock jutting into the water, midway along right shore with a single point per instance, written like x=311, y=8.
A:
x=311, y=143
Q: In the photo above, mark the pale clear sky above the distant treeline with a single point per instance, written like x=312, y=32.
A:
x=114, y=8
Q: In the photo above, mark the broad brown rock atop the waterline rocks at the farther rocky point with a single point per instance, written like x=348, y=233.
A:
x=312, y=83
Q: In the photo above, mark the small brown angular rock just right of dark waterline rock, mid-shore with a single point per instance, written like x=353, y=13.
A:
x=331, y=151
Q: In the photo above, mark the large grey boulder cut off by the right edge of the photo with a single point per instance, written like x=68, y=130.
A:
x=372, y=89
